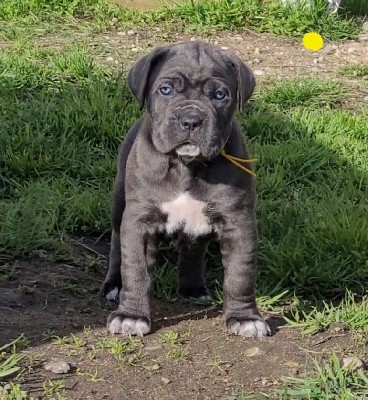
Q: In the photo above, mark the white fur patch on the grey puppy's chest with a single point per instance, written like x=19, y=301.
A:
x=186, y=213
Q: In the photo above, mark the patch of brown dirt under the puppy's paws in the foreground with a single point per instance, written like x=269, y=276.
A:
x=48, y=302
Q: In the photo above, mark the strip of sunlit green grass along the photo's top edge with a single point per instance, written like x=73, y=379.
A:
x=192, y=16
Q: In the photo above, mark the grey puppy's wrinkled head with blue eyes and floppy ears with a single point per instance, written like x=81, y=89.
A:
x=191, y=91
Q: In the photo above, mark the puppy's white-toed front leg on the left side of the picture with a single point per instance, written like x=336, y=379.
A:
x=137, y=256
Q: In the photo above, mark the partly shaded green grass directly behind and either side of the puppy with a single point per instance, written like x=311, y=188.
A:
x=63, y=120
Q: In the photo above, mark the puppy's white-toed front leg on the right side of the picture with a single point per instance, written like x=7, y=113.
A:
x=238, y=243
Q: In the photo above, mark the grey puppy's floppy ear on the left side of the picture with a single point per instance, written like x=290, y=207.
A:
x=139, y=74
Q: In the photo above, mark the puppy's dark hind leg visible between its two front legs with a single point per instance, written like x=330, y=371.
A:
x=191, y=263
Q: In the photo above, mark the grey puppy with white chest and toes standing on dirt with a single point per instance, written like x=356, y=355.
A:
x=172, y=179
